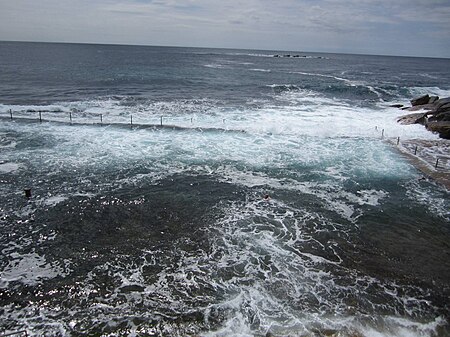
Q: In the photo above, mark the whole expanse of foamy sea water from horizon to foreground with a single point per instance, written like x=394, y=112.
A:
x=217, y=192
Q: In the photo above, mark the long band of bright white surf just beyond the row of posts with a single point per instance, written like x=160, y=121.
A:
x=304, y=113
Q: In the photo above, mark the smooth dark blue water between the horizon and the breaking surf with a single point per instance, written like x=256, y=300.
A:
x=41, y=73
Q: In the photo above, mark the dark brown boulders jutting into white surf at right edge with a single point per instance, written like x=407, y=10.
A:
x=432, y=111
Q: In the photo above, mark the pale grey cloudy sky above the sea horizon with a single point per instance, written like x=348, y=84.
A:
x=380, y=27
